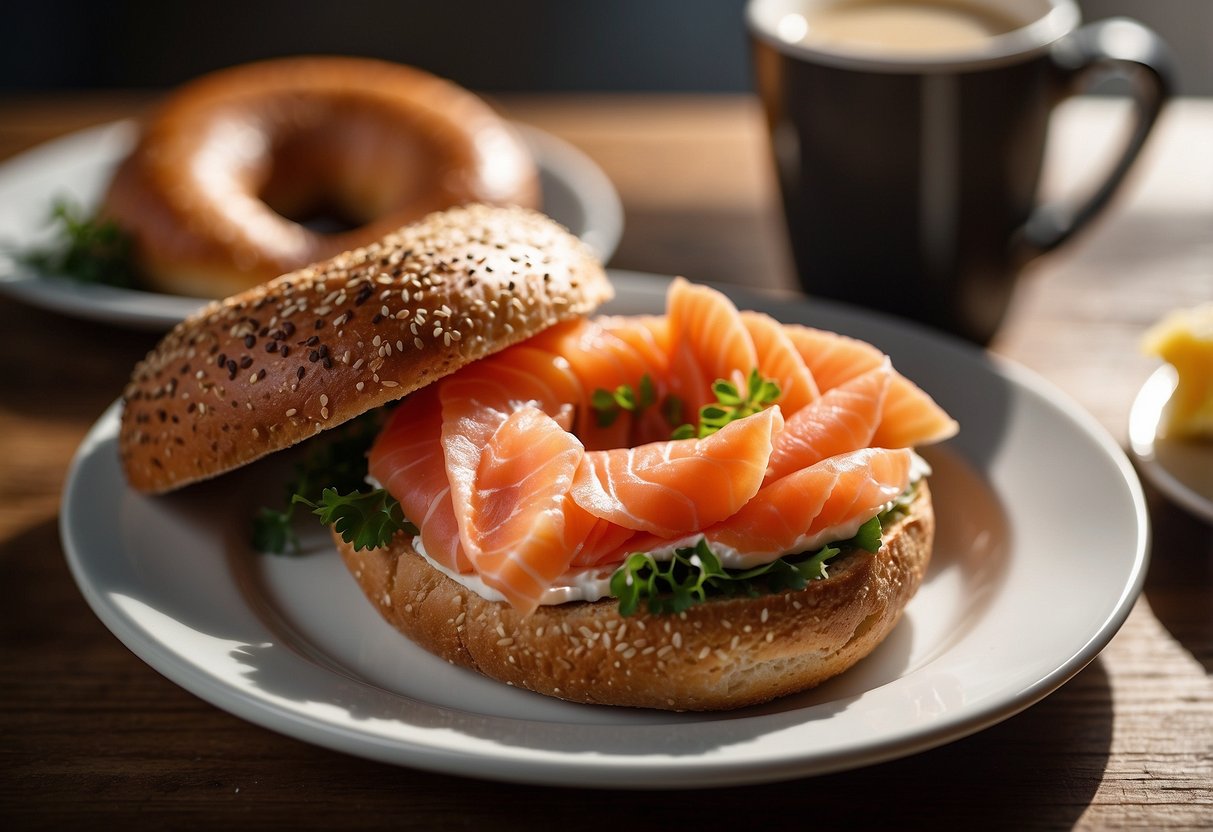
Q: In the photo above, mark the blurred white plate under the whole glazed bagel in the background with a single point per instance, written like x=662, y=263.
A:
x=78, y=167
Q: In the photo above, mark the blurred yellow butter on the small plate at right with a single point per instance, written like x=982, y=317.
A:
x=1184, y=339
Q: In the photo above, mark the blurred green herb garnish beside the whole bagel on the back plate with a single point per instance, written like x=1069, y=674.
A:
x=87, y=249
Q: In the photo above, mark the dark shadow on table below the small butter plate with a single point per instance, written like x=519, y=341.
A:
x=1180, y=584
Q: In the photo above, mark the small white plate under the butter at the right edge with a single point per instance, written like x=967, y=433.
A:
x=1181, y=470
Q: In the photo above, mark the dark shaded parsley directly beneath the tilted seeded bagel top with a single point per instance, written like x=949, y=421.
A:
x=339, y=464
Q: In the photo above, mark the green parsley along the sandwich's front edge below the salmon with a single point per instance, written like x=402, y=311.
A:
x=694, y=574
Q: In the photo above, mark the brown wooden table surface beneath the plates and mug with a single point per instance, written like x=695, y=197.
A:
x=94, y=738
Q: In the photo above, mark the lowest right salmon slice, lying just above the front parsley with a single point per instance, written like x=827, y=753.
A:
x=815, y=506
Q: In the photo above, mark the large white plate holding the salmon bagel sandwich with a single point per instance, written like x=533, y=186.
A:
x=1037, y=567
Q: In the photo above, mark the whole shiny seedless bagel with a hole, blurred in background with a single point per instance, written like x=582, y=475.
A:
x=381, y=144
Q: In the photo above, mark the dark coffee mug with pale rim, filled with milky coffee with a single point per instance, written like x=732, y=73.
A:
x=909, y=136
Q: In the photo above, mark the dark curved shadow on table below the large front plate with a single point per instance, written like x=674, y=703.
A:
x=1040, y=770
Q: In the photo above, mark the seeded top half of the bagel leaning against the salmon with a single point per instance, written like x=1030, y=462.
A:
x=277, y=364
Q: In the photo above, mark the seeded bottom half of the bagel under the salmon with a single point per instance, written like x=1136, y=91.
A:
x=722, y=654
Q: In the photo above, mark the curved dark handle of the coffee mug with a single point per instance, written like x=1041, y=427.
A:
x=1134, y=50
